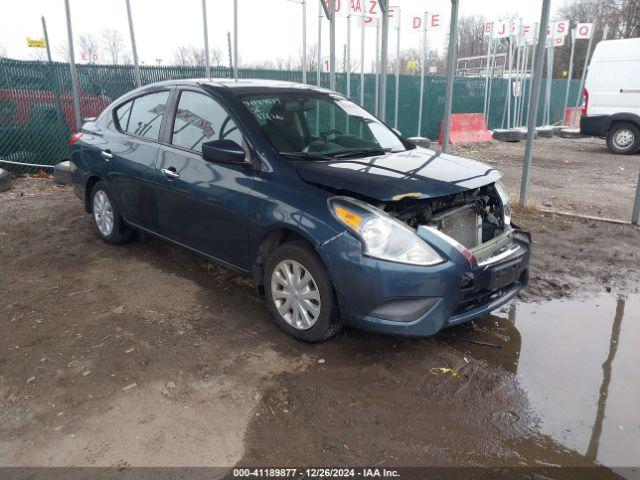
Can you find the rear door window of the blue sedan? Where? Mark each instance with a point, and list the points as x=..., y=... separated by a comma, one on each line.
x=143, y=115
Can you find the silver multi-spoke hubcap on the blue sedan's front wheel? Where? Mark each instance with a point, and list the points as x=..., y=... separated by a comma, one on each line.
x=295, y=294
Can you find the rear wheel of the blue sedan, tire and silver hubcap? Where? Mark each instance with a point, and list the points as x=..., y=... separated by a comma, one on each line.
x=103, y=209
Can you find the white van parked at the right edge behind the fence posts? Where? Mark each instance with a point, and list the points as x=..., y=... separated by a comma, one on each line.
x=611, y=107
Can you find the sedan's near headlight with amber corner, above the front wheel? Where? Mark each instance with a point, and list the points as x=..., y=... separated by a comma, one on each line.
x=383, y=236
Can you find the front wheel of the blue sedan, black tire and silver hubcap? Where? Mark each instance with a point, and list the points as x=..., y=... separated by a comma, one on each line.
x=312, y=327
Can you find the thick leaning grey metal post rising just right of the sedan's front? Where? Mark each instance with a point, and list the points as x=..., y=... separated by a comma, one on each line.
x=534, y=98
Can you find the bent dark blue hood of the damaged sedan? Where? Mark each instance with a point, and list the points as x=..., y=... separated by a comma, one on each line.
x=420, y=172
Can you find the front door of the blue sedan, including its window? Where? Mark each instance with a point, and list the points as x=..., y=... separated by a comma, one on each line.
x=203, y=205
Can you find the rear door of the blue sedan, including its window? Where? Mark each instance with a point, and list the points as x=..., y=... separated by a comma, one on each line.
x=132, y=151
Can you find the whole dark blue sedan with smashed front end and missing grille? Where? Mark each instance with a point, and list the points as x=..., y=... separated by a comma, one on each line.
x=337, y=217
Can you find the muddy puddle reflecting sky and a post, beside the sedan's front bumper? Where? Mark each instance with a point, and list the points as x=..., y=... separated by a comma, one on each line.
x=579, y=362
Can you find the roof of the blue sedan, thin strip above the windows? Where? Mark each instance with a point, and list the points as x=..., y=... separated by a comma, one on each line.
x=242, y=86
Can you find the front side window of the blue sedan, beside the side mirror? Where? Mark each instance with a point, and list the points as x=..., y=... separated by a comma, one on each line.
x=200, y=118
